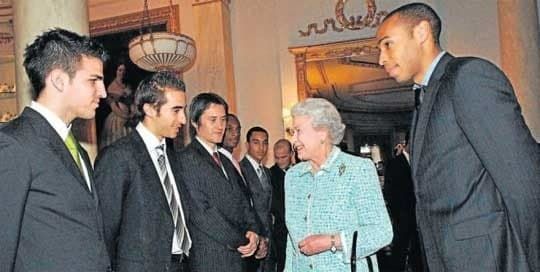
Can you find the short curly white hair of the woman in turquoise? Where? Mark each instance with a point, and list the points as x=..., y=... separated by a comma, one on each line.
x=323, y=114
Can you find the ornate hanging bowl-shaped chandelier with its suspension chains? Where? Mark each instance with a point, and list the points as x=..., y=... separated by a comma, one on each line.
x=158, y=51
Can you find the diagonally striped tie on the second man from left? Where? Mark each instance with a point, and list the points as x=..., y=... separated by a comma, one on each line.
x=180, y=229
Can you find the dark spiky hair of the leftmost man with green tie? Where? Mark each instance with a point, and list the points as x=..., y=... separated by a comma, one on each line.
x=58, y=49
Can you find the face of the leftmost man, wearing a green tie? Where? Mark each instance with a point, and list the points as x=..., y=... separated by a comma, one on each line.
x=81, y=94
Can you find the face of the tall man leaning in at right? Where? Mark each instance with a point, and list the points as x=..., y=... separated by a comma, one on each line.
x=400, y=48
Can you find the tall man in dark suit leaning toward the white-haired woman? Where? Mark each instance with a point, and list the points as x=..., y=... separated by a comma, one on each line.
x=475, y=165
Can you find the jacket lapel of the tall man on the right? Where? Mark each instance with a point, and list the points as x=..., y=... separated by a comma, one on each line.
x=426, y=108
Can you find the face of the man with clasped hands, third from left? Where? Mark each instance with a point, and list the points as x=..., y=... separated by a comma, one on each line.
x=211, y=125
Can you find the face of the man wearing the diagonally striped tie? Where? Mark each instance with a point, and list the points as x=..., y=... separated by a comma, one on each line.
x=170, y=117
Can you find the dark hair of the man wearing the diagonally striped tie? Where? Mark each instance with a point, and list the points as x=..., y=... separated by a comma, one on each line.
x=151, y=91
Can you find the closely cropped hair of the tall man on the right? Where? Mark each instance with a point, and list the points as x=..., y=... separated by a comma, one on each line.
x=414, y=13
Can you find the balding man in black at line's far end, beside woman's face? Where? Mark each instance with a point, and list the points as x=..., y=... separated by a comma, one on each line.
x=283, y=155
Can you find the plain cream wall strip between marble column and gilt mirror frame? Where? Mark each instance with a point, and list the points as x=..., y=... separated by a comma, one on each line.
x=256, y=67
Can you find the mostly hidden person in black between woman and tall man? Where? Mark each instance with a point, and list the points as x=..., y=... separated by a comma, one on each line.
x=399, y=193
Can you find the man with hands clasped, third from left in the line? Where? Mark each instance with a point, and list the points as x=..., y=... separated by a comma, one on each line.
x=223, y=226
